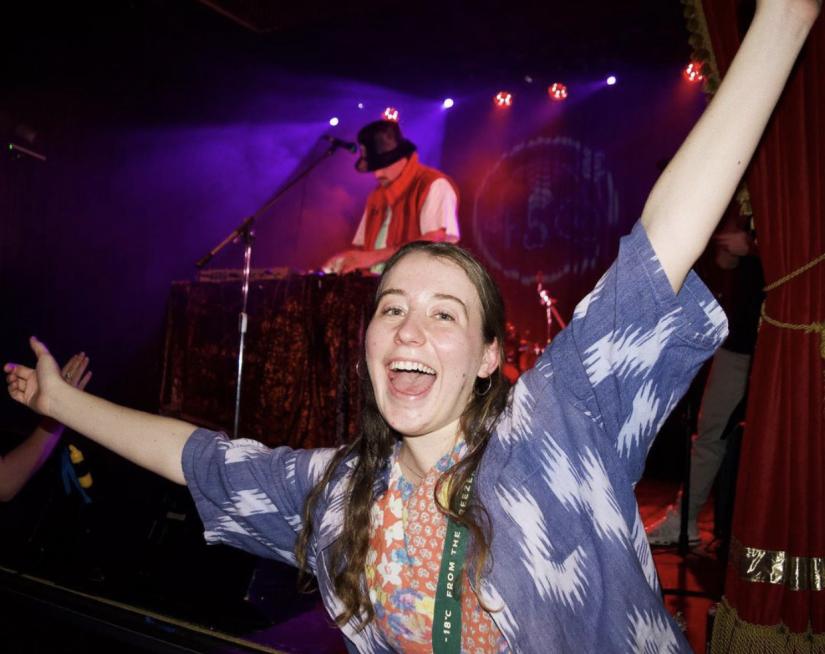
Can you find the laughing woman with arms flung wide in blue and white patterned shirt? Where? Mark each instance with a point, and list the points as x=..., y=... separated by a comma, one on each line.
x=533, y=485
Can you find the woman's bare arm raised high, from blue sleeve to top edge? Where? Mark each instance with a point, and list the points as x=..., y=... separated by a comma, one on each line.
x=689, y=198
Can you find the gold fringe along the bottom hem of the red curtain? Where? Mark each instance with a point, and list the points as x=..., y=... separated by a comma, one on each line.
x=732, y=635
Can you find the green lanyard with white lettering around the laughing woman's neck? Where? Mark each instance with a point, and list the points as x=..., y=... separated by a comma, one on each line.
x=447, y=613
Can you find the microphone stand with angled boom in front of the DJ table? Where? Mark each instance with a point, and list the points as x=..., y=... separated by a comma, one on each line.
x=245, y=233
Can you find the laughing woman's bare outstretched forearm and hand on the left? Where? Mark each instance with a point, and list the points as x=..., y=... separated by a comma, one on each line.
x=153, y=442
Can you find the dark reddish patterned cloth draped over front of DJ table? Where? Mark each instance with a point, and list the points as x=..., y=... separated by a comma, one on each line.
x=300, y=385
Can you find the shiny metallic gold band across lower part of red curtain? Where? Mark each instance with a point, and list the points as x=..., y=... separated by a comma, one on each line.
x=777, y=567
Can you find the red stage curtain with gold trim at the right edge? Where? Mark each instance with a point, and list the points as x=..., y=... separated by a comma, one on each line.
x=777, y=571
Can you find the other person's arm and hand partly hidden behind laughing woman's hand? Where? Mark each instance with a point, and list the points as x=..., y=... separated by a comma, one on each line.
x=18, y=466
